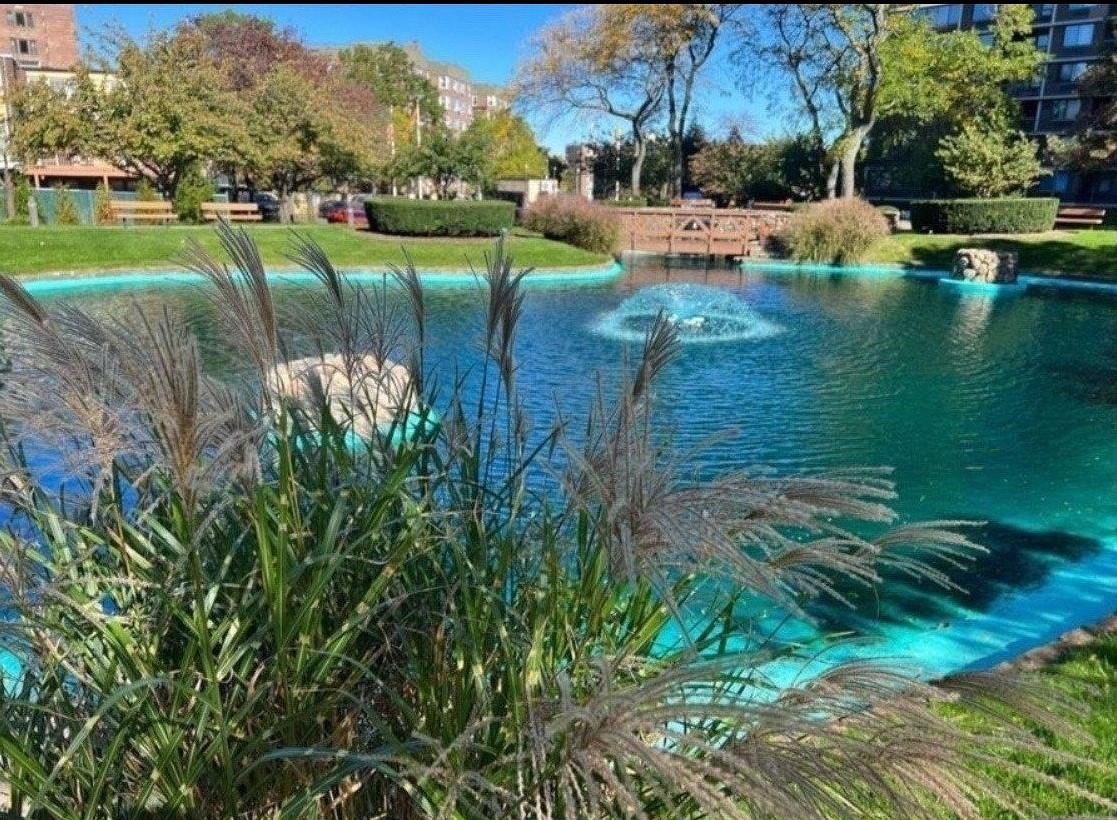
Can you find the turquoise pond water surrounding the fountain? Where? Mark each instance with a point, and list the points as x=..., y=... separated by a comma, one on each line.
x=997, y=406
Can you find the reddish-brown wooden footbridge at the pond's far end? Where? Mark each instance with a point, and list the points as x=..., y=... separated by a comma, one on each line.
x=704, y=232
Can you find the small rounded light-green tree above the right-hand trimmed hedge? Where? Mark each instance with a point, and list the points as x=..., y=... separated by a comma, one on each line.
x=987, y=159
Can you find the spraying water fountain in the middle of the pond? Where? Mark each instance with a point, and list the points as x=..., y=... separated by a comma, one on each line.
x=701, y=314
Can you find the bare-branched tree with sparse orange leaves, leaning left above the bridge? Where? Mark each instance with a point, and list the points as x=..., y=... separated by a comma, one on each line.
x=583, y=64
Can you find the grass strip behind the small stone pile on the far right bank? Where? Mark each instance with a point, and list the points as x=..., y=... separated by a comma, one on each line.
x=1070, y=253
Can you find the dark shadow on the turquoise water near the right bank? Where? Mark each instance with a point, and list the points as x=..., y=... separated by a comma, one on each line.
x=1017, y=559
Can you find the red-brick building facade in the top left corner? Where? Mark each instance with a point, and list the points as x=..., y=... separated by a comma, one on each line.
x=40, y=35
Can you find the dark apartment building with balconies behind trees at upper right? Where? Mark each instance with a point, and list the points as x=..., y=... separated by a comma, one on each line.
x=1074, y=37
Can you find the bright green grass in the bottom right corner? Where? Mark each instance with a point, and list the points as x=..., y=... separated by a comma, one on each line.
x=1089, y=679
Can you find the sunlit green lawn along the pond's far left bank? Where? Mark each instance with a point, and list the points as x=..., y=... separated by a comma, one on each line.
x=56, y=249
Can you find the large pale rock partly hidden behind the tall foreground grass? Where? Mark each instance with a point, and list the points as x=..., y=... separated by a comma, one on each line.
x=373, y=393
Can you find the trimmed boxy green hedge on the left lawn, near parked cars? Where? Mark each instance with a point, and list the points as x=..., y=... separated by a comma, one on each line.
x=440, y=218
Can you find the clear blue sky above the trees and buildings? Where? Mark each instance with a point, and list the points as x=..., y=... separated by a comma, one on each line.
x=488, y=40
